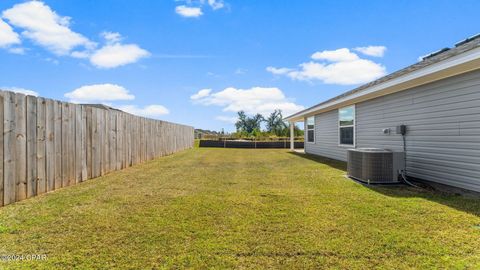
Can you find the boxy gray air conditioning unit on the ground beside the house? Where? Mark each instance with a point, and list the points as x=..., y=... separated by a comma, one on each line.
x=375, y=166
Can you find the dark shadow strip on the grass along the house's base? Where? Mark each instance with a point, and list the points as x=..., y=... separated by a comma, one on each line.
x=465, y=201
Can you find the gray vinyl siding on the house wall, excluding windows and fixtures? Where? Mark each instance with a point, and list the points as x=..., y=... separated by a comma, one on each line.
x=443, y=139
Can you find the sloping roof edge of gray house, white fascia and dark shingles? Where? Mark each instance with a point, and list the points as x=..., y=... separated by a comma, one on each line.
x=464, y=57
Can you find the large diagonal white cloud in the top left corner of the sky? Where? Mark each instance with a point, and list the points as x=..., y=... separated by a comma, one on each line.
x=45, y=27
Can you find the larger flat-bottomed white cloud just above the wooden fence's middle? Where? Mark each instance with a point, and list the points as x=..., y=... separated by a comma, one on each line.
x=99, y=93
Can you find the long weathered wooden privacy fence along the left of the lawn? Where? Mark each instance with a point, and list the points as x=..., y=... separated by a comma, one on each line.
x=49, y=144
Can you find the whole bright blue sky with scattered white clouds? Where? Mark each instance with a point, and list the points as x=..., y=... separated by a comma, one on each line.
x=198, y=62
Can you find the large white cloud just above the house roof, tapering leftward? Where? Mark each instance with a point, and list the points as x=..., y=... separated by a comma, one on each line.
x=334, y=67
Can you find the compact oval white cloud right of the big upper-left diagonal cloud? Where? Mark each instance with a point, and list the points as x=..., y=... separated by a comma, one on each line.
x=115, y=55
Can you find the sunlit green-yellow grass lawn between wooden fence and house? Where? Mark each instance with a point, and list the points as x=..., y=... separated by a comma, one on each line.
x=229, y=208
